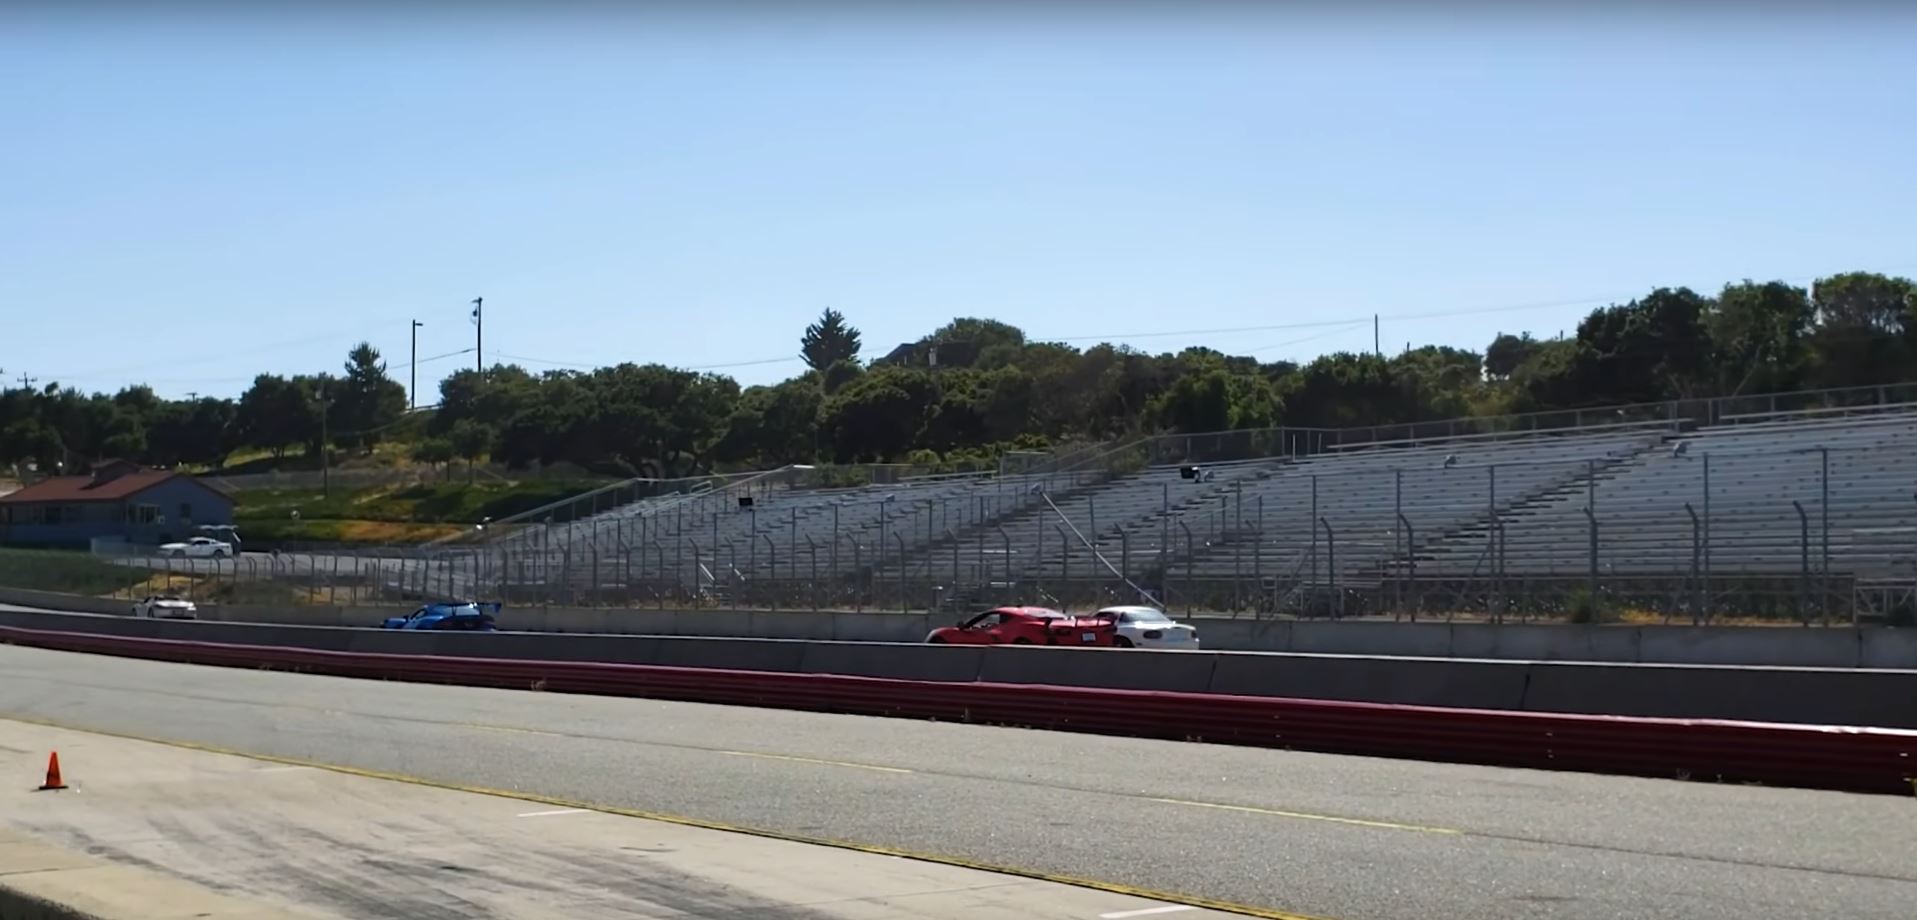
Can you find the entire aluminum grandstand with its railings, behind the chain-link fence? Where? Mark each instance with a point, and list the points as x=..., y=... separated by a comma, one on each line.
x=1799, y=509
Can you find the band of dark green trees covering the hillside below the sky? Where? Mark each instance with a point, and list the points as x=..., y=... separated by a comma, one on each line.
x=973, y=390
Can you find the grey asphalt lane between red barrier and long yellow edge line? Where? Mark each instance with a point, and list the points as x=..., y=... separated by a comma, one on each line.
x=1280, y=833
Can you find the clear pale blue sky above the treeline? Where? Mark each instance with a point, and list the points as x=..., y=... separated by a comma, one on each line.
x=198, y=196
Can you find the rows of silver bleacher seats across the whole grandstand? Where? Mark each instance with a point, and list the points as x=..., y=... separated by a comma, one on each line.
x=1351, y=517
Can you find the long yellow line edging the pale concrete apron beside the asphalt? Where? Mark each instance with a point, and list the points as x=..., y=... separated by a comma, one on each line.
x=1117, y=888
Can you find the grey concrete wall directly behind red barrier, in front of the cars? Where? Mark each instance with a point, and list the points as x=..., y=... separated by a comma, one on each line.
x=1822, y=697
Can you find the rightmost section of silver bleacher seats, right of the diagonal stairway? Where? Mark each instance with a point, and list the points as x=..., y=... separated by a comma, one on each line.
x=1757, y=472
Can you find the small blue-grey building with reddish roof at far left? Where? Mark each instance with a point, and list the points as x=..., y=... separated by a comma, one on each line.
x=118, y=503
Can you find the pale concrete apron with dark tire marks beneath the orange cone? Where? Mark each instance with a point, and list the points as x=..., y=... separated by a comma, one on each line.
x=352, y=848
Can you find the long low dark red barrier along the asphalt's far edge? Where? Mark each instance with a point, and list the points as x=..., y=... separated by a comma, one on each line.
x=1837, y=758
